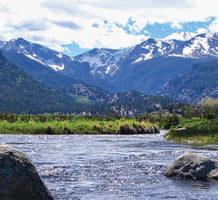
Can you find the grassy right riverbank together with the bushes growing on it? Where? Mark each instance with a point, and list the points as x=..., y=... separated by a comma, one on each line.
x=200, y=126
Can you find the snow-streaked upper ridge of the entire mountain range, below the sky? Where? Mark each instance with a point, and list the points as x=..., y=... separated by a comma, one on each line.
x=106, y=62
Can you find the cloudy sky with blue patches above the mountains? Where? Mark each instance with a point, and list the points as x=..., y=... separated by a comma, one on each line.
x=75, y=26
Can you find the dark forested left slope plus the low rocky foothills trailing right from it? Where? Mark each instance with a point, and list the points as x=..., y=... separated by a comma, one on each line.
x=20, y=93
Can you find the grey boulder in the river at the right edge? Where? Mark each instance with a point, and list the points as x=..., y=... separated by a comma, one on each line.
x=193, y=166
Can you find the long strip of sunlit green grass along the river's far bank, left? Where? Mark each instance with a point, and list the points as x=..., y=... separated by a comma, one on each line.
x=77, y=125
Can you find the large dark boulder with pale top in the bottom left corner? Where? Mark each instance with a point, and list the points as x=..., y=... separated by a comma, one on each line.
x=19, y=179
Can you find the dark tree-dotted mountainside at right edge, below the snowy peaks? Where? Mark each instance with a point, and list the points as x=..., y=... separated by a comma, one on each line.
x=193, y=85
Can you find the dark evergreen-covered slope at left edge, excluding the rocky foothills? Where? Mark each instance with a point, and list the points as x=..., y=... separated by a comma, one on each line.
x=20, y=93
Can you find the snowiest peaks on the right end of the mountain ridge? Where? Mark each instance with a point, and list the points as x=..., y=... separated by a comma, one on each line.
x=199, y=46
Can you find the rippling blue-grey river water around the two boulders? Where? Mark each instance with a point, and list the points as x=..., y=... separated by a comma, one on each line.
x=110, y=167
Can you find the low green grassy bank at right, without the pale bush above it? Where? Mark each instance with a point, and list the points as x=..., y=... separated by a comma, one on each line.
x=195, y=131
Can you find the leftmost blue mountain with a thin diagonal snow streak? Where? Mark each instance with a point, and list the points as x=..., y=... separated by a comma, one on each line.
x=34, y=59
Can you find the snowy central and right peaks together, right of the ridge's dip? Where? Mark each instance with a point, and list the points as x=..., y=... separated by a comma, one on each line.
x=105, y=62
